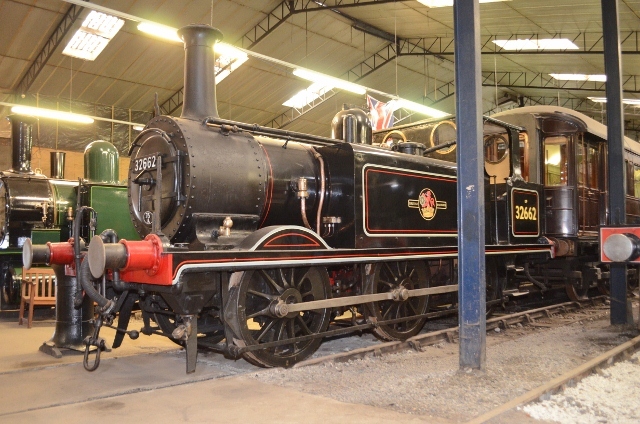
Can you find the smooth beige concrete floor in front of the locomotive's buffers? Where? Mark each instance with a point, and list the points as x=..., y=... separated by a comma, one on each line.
x=145, y=381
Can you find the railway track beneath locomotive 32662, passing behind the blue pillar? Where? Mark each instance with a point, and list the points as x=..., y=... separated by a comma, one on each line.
x=451, y=334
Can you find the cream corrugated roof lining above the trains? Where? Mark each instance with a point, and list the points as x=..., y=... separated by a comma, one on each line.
x=135, y=66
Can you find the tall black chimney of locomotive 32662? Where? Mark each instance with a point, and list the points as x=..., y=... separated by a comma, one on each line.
x=199, y=100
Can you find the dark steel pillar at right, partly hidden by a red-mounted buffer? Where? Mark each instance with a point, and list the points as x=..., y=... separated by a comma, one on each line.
x=615, y=136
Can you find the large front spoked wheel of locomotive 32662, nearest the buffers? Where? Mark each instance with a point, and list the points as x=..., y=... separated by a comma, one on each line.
x=255, y=319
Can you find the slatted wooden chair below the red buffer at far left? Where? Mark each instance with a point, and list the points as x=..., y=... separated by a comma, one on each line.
x=38, y=287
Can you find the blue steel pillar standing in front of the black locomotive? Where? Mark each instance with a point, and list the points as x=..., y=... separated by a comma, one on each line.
x=471, y=261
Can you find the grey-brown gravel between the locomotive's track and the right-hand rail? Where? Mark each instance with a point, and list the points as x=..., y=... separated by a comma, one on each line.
x=430, y=384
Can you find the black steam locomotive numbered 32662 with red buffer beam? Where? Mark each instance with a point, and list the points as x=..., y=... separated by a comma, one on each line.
x=256, y=240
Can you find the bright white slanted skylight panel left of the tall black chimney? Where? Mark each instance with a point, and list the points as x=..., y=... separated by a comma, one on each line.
x=93, y=36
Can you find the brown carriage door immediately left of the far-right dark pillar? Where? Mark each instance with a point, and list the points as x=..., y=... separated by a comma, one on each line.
x=589, y=190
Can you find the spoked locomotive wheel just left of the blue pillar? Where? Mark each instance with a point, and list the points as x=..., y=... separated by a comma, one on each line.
x=388, y=276
